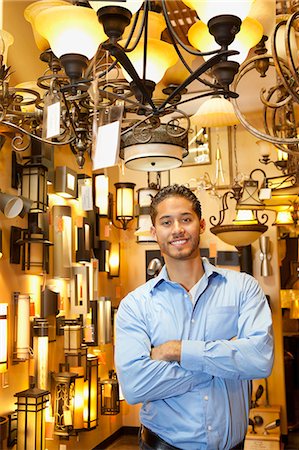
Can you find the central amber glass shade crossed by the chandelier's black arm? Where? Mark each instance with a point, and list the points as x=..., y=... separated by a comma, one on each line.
x=160, y=56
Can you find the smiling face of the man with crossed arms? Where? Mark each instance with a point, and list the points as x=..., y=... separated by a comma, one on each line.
x=177, y=229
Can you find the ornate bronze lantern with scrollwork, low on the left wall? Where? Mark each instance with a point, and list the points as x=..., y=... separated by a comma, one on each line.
x=64, y=393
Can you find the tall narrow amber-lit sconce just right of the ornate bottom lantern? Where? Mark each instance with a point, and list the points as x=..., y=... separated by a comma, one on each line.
x=91, y=393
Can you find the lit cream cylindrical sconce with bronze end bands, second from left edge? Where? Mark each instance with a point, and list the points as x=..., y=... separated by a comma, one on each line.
x=21, y=327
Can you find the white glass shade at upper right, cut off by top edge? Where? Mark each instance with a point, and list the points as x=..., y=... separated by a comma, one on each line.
x=206, y=10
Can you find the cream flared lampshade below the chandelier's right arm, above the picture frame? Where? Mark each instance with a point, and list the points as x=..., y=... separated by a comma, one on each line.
x=215, y=112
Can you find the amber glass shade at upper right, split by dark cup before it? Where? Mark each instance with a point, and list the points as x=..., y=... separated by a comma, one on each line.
x=249, y=35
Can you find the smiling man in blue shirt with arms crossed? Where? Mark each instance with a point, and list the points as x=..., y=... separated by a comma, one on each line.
x=189, y=341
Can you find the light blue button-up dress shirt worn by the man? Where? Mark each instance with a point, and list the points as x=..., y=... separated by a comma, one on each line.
x=201, y=403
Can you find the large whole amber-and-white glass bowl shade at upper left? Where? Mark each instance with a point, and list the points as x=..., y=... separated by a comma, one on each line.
x=71, y=30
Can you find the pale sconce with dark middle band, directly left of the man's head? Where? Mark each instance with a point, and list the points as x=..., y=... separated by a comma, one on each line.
x=144, y=223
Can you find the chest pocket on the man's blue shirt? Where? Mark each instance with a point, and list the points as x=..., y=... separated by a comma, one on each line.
x=222, y=323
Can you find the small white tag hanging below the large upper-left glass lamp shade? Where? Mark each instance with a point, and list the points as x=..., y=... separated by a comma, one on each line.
x=51, y=119
